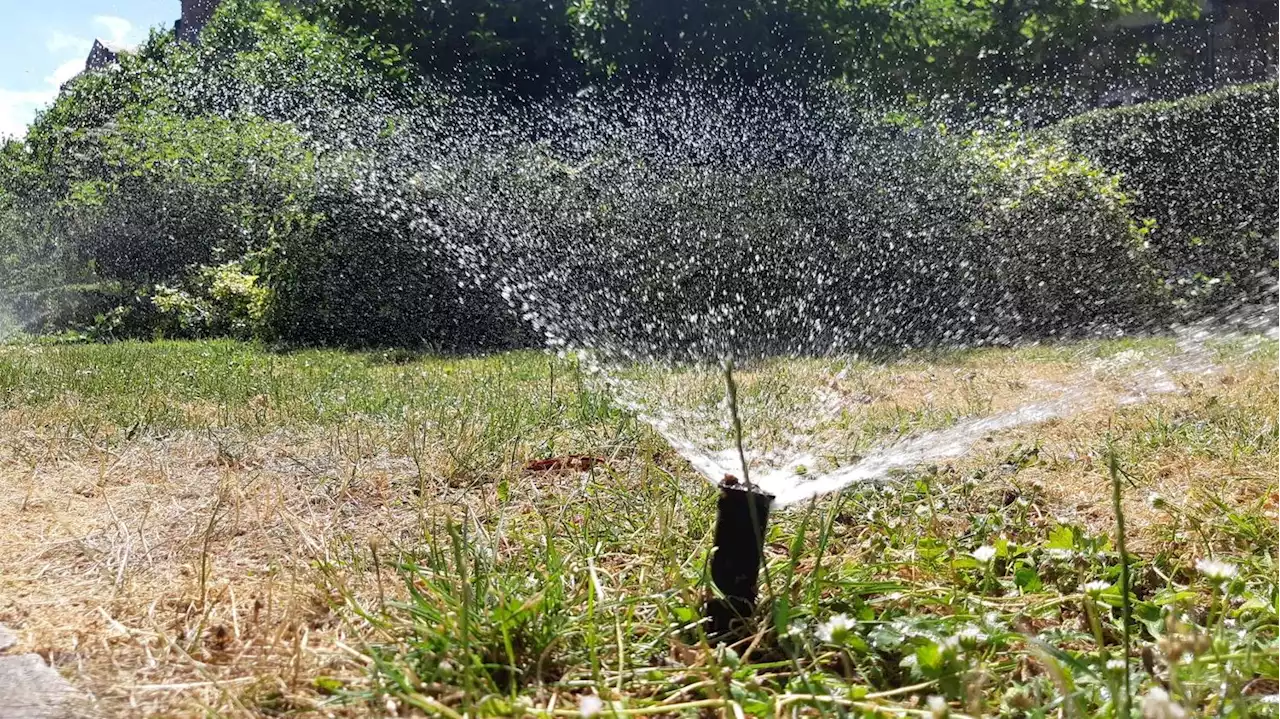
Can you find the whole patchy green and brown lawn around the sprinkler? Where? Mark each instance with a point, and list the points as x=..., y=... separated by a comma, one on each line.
x=214, y=530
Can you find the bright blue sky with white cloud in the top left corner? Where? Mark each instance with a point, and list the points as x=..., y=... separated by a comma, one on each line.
x=44, y=44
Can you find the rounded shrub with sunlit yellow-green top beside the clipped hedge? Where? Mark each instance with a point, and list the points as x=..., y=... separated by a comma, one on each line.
x=1064, y=250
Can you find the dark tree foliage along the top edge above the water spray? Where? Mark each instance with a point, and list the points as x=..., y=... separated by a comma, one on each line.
x=985, y=54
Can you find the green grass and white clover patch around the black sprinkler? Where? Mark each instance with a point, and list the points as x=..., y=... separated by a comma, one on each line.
x=597, y=604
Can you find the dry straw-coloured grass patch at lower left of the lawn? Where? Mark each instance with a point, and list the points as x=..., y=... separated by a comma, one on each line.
x=161, y=576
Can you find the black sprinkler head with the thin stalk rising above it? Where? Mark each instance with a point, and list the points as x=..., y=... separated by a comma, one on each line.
x=742, y=515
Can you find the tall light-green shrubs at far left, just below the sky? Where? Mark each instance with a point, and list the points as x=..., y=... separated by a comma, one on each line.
x=150, y=194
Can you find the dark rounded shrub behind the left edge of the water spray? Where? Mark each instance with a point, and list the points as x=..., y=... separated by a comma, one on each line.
x=355, y=273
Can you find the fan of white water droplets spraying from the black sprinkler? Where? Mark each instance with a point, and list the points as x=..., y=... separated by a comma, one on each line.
x=685, y=228
